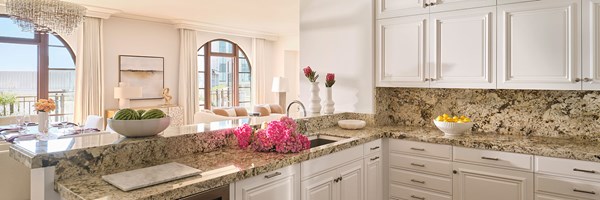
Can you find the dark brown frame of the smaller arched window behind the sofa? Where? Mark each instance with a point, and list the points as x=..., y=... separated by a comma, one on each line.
x=235, y=56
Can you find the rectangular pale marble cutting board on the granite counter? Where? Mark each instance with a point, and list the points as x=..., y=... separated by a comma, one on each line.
x=140, y=178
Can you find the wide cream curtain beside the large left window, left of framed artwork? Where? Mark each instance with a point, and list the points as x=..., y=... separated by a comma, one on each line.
x=89, y=92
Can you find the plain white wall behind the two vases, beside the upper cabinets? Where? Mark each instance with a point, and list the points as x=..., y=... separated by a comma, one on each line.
x=336, y=36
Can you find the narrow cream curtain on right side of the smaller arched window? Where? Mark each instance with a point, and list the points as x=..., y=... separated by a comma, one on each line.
x=259, y=83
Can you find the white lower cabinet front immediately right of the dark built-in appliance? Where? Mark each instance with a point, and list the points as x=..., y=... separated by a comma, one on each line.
x=280, y=184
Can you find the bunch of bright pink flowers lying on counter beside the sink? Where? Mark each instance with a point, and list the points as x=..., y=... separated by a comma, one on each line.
x=279, y=136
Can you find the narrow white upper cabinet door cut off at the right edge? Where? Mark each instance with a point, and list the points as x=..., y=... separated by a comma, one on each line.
x=591, y=45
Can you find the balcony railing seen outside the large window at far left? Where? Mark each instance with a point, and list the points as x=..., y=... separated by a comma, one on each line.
x=24, y=106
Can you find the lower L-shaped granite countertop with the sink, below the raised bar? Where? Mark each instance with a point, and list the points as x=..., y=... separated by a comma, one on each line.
x=229, y=164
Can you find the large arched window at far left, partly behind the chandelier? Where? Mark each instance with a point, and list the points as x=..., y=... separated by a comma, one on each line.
x=32, y=66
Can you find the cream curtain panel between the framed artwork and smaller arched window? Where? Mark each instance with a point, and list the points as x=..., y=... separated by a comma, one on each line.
x=188, y=74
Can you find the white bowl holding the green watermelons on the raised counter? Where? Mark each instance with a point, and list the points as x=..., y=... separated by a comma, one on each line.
x=139, y=128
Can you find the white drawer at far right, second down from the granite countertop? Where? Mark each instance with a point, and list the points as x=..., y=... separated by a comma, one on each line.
x=566, y=186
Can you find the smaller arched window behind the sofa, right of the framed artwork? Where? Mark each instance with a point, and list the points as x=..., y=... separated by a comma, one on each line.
x=224, y=75
